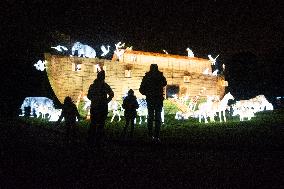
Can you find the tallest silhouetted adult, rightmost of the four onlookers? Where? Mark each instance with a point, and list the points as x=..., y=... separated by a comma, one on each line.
x=152, y=86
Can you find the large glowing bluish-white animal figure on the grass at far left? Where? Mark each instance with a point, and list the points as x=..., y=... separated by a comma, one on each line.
x=40, y=106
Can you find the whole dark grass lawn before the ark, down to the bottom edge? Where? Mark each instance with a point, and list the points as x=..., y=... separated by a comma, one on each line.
x=191, y=155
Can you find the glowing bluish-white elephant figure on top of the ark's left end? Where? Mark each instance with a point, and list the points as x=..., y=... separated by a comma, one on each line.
x=83, y=50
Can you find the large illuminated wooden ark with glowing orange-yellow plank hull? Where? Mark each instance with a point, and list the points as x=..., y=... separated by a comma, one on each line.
x=182, y=72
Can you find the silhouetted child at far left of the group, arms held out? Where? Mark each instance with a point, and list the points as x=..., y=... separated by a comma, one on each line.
x=69, y=113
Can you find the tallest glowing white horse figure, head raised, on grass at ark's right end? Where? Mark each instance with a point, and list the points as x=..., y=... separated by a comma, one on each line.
x=221, y=106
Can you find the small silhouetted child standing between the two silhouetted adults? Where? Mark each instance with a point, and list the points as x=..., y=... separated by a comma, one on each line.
x=130, y=105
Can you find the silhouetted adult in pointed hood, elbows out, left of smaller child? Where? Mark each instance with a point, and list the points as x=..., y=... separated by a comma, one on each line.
x=100, y=94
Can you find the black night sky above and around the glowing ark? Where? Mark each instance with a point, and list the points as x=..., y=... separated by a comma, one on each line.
x=248, y=35
